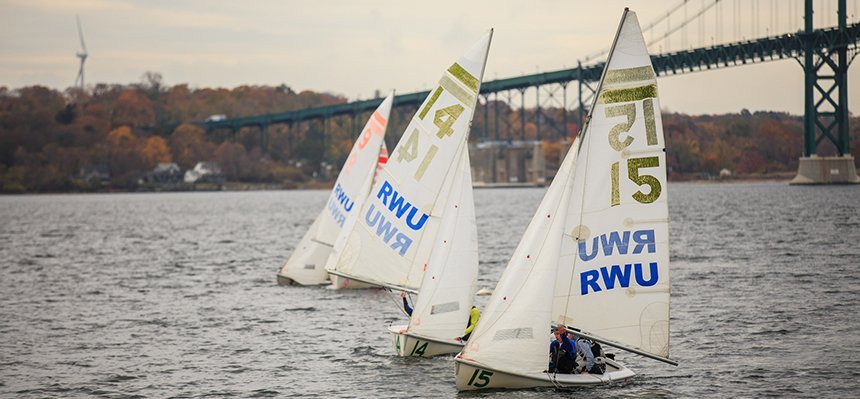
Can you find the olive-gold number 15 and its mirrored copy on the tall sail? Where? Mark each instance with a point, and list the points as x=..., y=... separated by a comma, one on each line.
x=634, y=164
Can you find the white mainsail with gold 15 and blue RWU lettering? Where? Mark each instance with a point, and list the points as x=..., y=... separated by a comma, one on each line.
x=614, y=264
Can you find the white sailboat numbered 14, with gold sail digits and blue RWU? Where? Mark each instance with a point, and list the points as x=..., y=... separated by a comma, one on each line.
x=417, y=231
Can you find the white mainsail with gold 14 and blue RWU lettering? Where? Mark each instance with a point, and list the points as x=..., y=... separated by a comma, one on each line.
x=391, y=242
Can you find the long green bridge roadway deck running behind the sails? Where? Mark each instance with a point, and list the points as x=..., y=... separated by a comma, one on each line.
x=724, y=55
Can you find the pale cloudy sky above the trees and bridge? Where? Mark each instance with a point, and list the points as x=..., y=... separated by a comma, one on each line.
x=353, y=48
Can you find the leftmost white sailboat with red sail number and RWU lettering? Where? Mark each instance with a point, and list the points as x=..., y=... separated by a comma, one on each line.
x=306, y=266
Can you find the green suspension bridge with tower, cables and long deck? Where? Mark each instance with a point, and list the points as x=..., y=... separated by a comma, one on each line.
x=691, y=36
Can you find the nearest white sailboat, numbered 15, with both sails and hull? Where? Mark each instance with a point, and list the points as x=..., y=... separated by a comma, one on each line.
x=595, y=256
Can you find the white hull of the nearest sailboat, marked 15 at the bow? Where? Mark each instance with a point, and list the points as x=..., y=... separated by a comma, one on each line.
x=472, y=375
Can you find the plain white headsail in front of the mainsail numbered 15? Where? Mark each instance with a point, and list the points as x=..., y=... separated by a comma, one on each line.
x=513, y=332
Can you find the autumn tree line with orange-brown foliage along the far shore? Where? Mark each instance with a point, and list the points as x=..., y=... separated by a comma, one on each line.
x=50, y=138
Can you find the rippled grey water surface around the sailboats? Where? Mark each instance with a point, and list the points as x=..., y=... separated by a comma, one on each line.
x=174, y=295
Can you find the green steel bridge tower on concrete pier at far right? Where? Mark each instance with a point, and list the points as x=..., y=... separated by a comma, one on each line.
x=826, y=107
